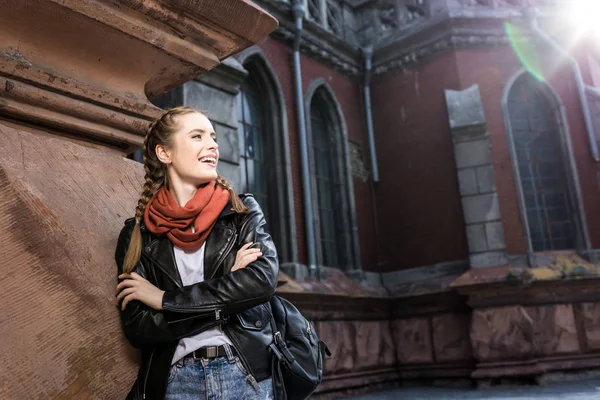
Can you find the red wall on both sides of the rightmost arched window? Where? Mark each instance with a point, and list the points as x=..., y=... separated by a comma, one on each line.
x=491, y=70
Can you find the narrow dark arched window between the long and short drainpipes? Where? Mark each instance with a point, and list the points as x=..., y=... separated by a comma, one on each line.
x=335, y=220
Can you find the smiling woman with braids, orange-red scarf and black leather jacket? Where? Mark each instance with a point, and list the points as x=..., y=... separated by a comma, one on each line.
x=196, y=271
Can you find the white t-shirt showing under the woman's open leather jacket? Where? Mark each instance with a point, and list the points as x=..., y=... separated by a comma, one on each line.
x=191, y=269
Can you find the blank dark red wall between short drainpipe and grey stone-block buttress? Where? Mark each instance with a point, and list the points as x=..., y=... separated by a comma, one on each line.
x=419, y=208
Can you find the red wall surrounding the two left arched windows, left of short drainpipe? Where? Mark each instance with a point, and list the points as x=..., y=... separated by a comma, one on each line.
x=348, y=94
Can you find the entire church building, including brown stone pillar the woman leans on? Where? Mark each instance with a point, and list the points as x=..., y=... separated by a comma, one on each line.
x=429, y=174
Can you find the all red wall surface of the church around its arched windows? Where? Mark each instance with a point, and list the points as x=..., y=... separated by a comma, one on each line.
x=417, y=200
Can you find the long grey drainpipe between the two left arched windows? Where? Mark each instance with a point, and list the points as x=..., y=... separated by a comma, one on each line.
x=298, y=12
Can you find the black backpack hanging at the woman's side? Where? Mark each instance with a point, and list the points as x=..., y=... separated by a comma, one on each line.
x=297, y=366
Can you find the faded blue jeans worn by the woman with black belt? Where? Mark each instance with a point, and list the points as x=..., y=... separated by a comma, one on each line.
x=221, y=378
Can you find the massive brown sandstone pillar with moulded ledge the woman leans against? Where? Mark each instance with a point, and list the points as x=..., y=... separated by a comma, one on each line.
x=75, y=79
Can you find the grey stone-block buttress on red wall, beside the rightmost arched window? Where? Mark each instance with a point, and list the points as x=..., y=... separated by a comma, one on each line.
x=475, y=171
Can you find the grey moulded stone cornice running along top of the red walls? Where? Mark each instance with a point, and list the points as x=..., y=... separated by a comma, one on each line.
x=455, y=29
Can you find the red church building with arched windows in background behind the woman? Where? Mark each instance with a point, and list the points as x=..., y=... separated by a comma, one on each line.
x=462, y=243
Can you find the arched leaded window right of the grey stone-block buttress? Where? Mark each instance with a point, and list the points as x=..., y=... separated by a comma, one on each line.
x=535, y=132
